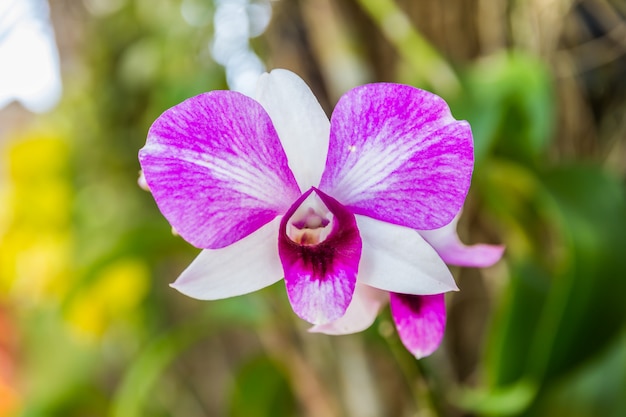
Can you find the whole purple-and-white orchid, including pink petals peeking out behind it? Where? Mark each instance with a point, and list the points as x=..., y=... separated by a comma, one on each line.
x=347, y=211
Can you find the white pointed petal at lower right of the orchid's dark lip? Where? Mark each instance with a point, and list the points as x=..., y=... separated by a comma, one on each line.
x=398, y=259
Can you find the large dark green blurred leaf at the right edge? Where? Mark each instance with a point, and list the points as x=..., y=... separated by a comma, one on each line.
x=565, y=303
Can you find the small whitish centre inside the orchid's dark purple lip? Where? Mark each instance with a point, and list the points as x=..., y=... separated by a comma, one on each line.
x=311, y=223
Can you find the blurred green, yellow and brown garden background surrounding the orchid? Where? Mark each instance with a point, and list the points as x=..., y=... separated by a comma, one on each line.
x=88, y=323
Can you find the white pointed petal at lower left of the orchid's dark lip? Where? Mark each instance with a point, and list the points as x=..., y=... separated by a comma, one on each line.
x=245, y=266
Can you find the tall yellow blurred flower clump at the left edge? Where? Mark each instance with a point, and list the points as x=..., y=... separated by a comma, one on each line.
x=35, y=223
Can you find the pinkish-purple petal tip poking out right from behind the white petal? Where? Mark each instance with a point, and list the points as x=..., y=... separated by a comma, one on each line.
x=446, y=242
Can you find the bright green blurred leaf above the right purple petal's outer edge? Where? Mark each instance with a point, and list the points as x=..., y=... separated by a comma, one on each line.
x=510, y=106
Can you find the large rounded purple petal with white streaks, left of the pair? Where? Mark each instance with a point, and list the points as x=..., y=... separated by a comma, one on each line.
x=216, y=168
